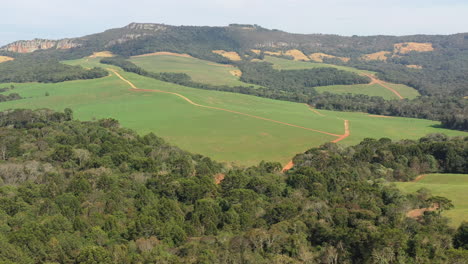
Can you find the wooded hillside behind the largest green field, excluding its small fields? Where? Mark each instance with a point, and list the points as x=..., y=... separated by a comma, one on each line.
x=435, y=65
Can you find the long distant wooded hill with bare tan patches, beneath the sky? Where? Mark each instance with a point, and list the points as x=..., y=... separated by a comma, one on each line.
x=433, y=64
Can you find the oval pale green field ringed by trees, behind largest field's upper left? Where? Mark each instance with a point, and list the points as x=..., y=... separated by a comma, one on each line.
x=200, y=70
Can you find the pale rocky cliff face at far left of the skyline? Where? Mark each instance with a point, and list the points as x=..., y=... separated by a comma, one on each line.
x=27, y=46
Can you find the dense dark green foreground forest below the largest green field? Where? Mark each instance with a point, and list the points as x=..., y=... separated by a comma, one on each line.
x=92, y=192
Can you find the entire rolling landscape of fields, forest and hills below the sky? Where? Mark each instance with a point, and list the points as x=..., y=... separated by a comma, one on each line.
x=154, y=143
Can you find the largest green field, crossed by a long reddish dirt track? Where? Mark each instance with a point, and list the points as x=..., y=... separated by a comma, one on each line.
x=221, y=135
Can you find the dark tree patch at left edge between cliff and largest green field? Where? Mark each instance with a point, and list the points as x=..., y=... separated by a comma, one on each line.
x=37, y=69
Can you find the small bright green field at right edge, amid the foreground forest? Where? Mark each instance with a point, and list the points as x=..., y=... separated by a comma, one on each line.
x=451, y=186
